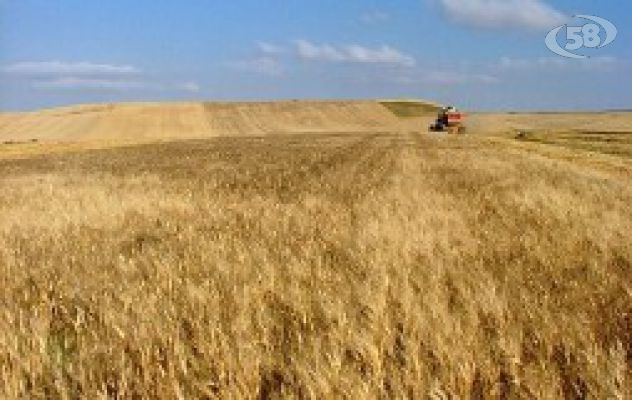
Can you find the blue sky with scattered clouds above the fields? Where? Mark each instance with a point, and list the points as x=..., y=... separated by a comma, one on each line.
x=477, y=54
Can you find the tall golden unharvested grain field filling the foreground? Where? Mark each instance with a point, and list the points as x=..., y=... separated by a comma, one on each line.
x=315, y=266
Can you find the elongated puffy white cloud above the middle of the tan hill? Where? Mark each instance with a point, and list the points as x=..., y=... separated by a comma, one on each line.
x=352, y=54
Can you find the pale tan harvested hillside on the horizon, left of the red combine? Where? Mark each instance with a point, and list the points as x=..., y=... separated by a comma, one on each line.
x=160, y=121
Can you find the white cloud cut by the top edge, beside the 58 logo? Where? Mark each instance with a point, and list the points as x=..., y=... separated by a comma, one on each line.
x=503, y=14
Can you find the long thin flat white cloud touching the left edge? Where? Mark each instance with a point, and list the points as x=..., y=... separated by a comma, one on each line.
x=59, y=68
